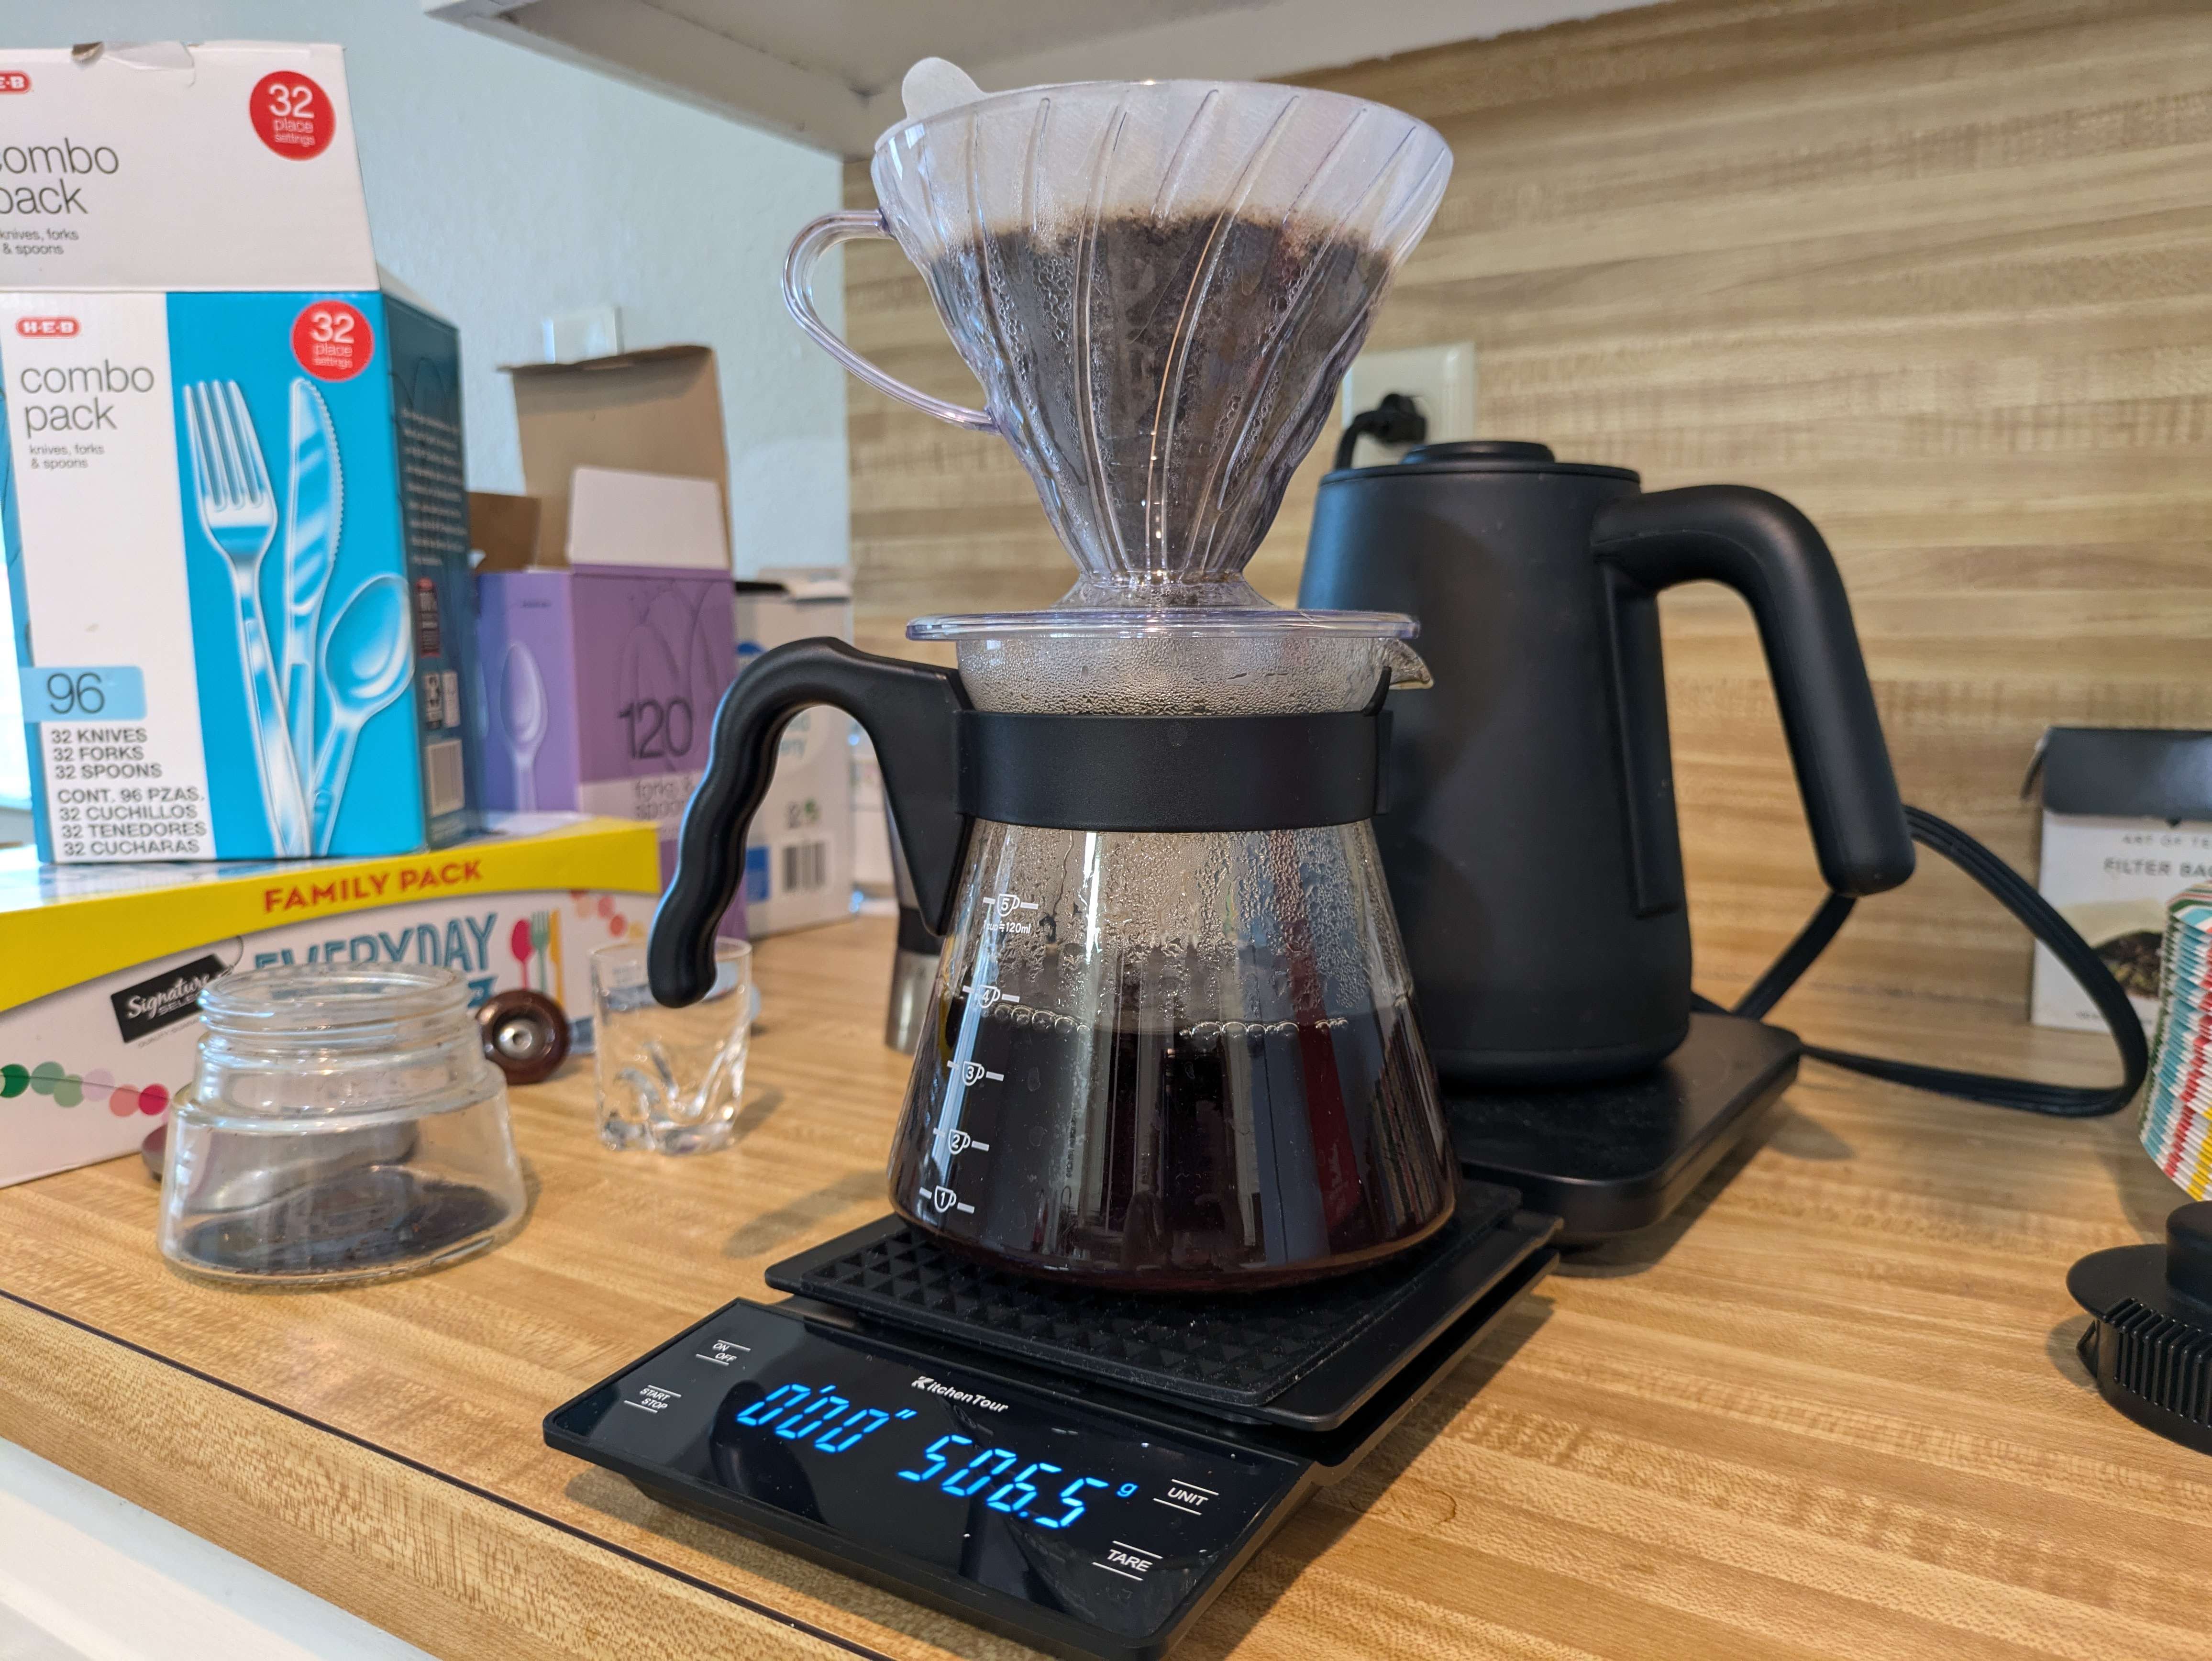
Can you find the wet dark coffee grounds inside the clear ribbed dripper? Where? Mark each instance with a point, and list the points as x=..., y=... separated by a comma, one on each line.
x=1160, y=377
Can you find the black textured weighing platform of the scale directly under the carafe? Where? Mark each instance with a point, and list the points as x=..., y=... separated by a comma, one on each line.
x=1231, y=1352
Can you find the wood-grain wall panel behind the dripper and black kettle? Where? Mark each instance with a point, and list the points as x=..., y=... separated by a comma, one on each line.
x=1939, y=271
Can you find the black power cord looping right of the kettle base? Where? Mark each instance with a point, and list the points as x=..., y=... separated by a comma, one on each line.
x=2047, y=926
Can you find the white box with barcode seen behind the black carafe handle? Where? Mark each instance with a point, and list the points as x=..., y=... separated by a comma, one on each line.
x=802, y=844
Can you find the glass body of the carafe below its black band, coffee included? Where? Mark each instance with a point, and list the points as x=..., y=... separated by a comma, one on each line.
x=1131, y=1089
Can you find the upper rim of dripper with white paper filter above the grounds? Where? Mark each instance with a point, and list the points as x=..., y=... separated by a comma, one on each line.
x=1054, y=158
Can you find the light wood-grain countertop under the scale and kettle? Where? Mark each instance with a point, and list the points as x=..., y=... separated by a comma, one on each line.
x=1830, y=1410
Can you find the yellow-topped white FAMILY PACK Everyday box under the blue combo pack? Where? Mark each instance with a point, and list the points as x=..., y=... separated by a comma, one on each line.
x=101, y=988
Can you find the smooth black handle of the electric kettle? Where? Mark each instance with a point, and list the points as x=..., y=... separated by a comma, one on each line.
x=1775, y=558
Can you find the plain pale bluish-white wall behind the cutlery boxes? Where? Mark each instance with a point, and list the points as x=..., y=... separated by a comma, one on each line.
x=505, y=187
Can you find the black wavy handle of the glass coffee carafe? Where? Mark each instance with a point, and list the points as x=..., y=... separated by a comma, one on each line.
x=910, y=713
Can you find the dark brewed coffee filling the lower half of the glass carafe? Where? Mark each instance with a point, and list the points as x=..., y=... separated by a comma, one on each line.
x=1176, y=1158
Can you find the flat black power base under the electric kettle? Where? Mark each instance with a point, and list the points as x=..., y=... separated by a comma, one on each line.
x=1616, y=1158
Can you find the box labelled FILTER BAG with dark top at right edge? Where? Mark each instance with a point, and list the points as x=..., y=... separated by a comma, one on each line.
x=2127, y=828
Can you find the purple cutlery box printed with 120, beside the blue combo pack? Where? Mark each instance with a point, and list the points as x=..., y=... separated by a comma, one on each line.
x=601, y=689
